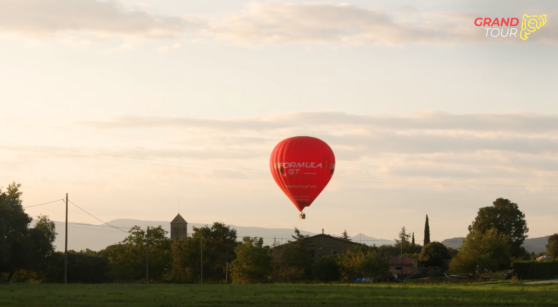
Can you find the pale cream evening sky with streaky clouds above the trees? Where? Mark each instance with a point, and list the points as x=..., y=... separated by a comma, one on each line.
x=143, y=109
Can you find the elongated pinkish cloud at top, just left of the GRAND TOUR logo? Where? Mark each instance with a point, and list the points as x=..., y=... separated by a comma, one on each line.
x=327, y=23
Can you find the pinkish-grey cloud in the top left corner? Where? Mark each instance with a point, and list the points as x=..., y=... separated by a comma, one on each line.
x=47, y=18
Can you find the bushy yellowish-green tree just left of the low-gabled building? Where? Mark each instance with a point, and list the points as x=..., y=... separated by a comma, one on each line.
x=252, y=263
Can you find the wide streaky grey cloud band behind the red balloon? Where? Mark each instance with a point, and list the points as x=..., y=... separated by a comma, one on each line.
x=385, y=151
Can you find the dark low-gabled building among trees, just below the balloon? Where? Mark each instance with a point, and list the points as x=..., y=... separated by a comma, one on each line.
x=325, y=245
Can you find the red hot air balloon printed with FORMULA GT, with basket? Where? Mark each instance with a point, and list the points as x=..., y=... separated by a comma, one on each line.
x=302, y=167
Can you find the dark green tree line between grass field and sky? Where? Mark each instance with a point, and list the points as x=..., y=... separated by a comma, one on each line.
x=215, y=253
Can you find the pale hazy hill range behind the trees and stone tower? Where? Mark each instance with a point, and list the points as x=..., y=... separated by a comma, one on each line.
x=97, y=237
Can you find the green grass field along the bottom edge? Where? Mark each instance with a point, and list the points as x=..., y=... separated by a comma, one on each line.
x=503, y=294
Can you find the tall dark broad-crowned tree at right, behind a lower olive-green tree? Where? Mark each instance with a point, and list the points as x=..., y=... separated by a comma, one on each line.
x=508, y=220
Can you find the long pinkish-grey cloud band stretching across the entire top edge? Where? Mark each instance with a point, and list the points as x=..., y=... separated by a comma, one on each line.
x=257, y=24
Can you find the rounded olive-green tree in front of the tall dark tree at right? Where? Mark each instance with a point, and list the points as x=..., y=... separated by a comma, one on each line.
x=489, y=250
